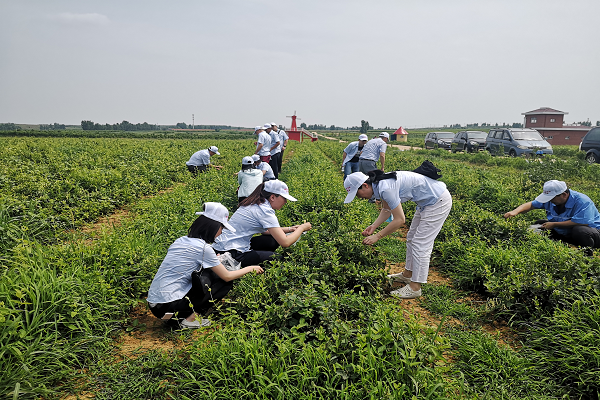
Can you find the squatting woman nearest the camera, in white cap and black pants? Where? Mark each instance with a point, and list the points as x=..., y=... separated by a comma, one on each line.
x=172, y=296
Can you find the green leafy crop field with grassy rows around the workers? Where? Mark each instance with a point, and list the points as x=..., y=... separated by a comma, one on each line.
x=508, y=314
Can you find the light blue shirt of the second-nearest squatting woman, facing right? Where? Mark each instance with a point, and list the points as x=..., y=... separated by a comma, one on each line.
x=247, y=221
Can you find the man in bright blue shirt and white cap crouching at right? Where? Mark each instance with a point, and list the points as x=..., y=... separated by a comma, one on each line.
x=572, y=216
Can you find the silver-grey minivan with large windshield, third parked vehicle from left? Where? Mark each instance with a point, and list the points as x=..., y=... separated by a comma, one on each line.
x=516, y=142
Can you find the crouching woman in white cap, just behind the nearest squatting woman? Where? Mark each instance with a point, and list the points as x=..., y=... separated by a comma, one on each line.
x=256, y=215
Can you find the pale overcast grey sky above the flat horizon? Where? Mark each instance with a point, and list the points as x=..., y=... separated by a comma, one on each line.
x=410, y=63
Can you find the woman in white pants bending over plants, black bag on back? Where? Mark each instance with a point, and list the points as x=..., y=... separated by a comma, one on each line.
x=433, y=206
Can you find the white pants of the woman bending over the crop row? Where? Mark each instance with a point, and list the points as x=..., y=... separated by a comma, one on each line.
x=424, y=228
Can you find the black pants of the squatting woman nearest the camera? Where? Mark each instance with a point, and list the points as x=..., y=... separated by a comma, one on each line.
x=194, y=300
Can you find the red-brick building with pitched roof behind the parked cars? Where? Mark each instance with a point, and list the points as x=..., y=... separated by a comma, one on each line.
x=550, y=124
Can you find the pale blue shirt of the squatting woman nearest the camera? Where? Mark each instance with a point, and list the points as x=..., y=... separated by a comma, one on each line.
x=173, y=280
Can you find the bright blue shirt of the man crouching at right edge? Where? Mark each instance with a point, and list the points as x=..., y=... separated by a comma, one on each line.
x=579, y=208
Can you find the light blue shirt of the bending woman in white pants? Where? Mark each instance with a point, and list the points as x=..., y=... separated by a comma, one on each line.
x=409, y=186
